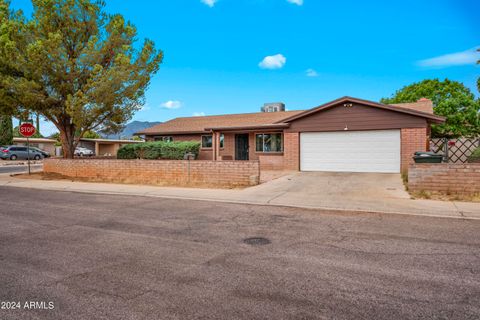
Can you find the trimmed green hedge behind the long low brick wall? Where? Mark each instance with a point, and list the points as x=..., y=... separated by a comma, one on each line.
x=158, y=150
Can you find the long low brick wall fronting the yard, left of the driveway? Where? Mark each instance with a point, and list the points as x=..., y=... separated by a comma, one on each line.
x=222, y=174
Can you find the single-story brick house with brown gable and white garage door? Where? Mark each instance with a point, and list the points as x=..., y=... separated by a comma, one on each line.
x=347, y=134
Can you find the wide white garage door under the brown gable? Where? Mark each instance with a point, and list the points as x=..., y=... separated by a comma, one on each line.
x=351, y=151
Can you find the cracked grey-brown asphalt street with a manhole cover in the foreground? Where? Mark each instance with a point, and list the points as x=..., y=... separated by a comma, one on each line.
x=85, y=256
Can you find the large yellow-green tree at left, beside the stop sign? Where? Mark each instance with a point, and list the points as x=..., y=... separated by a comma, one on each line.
x=74, y=65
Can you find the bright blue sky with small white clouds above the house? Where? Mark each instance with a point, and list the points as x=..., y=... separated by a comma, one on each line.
x=231, y=56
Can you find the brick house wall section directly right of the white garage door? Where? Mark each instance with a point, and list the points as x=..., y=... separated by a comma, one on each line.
x=412, y=140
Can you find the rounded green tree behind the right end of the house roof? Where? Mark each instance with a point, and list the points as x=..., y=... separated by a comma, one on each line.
x=451, y=99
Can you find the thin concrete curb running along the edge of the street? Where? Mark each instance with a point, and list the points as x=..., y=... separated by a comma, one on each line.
x=150, y=195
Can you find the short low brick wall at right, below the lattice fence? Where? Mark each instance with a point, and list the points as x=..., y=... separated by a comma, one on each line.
x=445, y=178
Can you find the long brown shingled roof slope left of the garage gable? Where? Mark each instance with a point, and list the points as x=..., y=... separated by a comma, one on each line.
x=195, y=125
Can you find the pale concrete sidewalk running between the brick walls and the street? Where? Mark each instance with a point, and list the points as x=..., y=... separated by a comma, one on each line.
x=265, y=194
